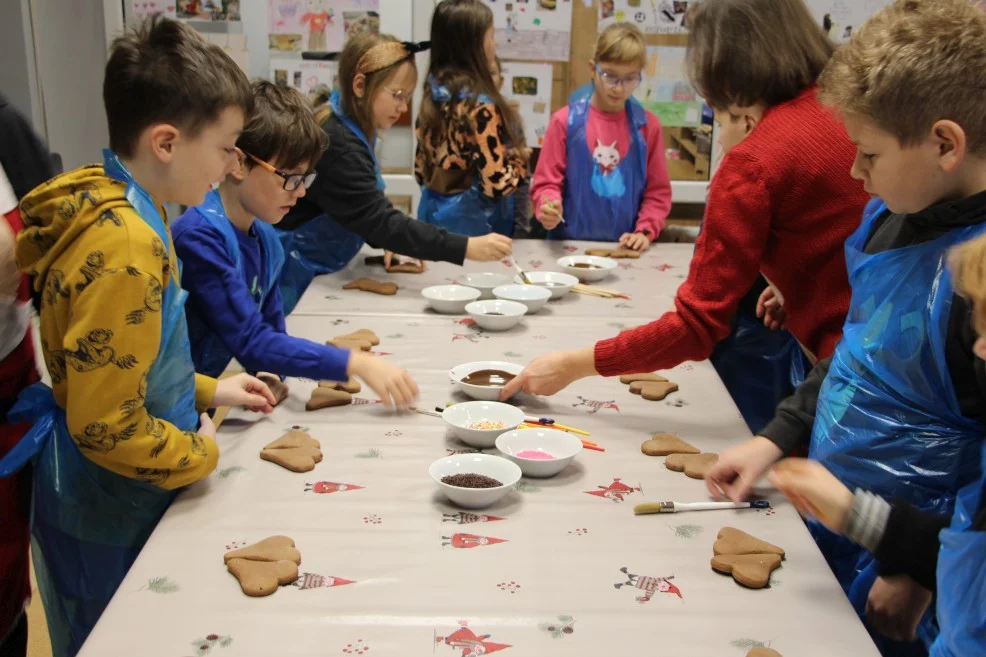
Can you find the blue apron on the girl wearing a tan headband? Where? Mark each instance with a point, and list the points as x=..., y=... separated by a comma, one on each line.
x=321, y=246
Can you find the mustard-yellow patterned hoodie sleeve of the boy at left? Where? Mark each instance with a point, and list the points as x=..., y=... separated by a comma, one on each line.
x=110, y=344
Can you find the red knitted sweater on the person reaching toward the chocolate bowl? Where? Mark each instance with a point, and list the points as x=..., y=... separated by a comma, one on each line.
x=782, y=203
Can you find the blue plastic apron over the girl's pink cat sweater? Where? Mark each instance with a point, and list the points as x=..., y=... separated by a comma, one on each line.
x=601, y=206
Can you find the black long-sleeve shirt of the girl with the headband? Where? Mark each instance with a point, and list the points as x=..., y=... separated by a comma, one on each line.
x=346, y=190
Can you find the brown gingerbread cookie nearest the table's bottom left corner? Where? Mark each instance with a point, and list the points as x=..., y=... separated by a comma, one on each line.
x=262, y=567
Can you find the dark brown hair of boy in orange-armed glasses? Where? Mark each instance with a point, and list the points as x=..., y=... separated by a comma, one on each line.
x=282, y=128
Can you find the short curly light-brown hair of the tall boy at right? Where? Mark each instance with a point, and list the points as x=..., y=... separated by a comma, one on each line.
x=912, y=64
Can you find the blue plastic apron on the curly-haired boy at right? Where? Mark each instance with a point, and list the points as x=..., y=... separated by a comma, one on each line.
x=888, y=420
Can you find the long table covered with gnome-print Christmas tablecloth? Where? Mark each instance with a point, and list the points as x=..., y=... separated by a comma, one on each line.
x=390, y=567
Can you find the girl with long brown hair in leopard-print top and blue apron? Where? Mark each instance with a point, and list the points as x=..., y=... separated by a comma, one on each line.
x=470, y=159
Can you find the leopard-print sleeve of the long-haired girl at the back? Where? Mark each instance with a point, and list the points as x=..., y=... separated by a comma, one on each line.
x=501, y=168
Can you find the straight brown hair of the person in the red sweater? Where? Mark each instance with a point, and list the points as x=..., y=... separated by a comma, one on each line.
x=745, y=52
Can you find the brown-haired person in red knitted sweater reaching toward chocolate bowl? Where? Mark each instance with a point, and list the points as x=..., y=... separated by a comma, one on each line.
x=782, y=202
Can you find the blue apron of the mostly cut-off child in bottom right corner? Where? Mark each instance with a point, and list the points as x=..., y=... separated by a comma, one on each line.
x=962, y=577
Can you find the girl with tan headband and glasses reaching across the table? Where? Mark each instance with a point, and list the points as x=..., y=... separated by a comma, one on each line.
x=347, y=204
